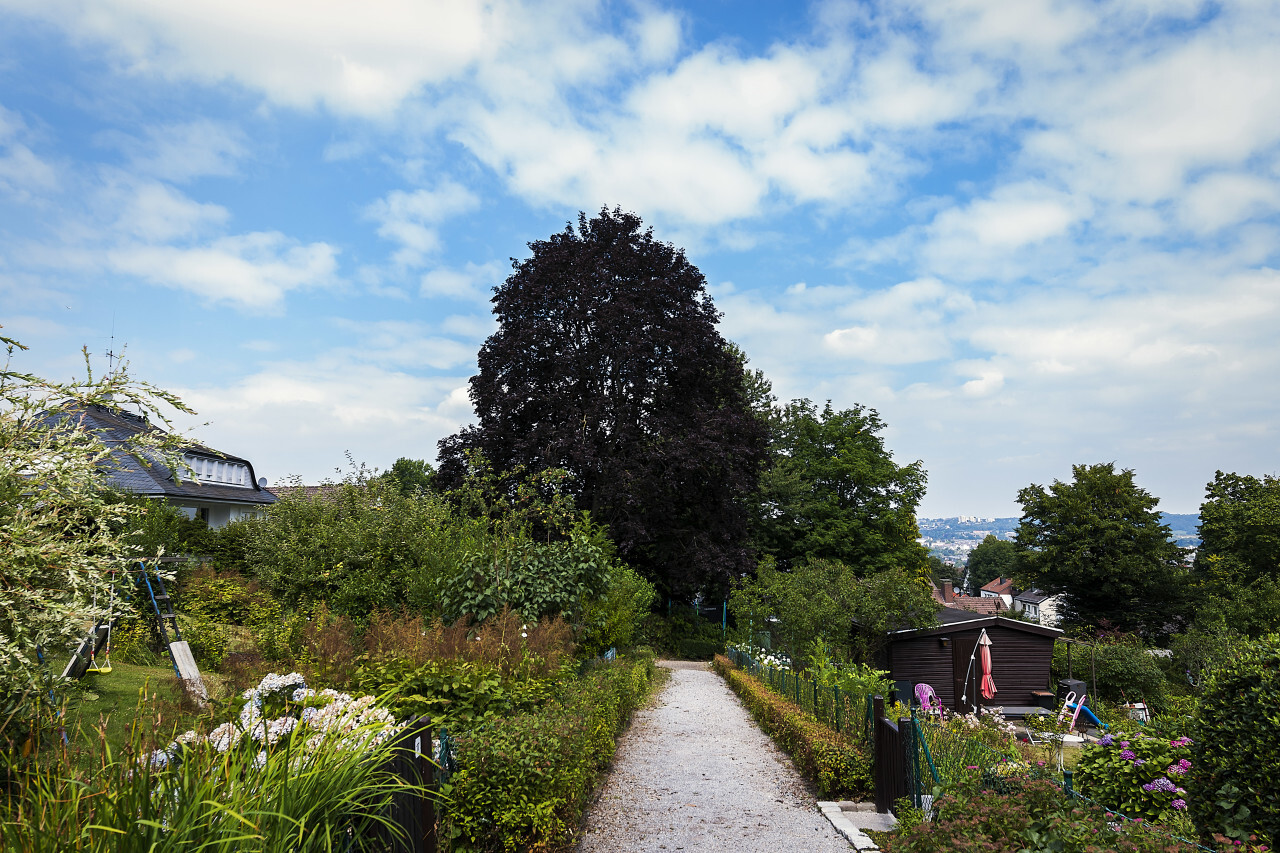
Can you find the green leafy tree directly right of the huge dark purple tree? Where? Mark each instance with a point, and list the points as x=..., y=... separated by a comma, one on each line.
x=834, y=492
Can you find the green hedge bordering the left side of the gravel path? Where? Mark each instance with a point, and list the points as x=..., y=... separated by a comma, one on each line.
x=524, y=782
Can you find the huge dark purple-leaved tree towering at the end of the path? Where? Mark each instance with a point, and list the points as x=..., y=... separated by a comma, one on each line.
x=607, y=364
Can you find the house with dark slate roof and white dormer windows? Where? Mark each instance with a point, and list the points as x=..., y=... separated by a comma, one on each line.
x=218, y=489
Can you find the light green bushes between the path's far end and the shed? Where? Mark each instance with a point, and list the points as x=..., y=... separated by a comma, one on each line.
x=829, y=600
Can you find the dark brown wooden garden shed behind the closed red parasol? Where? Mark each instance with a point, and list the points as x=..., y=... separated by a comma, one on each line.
x=1021, y=658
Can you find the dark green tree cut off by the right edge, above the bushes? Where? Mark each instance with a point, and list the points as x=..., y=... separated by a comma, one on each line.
x=1238, y=563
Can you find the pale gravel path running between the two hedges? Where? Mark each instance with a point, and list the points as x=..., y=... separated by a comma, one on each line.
x=694, y=773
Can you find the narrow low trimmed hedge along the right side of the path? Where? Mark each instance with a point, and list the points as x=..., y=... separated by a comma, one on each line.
x=830, y=760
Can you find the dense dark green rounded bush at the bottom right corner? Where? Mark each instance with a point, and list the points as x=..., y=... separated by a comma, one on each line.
x=1237, y=745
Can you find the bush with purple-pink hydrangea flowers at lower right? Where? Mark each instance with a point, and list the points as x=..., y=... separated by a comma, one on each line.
x=1137, y=776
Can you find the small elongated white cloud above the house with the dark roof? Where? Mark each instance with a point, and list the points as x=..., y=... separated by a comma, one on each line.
x=252, y=272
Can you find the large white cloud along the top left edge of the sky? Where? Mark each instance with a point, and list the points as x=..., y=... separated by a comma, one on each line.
x=360, y=61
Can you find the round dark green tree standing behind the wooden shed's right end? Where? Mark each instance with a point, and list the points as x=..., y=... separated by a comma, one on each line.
x=1100, y=542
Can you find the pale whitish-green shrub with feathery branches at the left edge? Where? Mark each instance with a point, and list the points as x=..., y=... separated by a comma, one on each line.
x=62, y=531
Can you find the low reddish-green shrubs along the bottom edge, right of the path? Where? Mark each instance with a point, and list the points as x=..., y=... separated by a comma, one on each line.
x=1035, y=818
